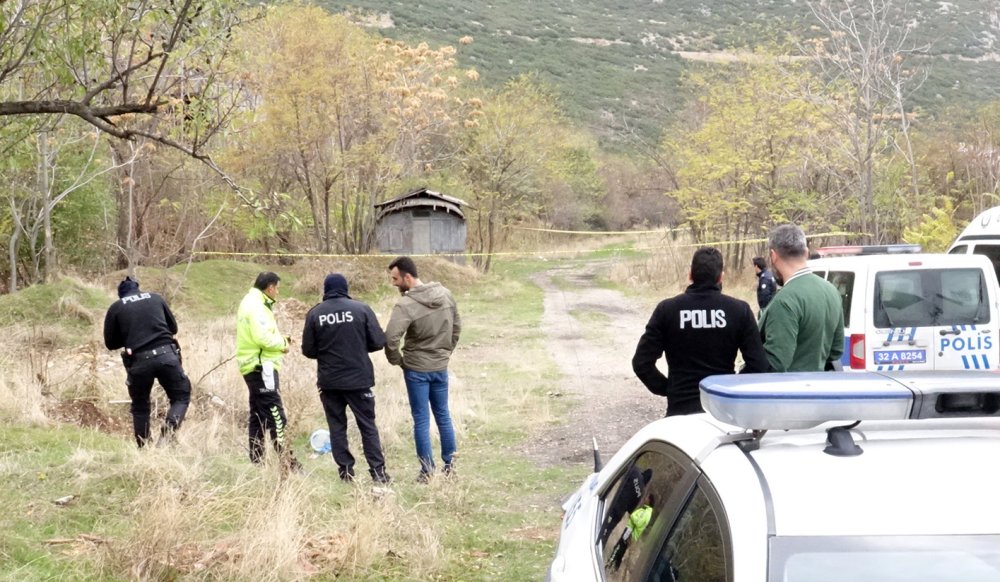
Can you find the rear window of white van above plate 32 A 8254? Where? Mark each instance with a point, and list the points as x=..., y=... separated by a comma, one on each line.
x=927, y=297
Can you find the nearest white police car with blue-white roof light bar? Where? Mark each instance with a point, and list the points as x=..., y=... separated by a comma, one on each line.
x=909, y=493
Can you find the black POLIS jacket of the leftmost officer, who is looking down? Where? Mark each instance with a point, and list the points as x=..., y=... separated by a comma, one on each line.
x=139, y=322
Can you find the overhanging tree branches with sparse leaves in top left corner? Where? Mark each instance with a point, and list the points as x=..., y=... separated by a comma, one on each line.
x=151, y=69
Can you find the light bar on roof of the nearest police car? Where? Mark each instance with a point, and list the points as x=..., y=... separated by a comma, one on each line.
x=807, y=399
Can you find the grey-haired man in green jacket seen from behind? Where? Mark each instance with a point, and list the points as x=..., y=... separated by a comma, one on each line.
x=803, y=325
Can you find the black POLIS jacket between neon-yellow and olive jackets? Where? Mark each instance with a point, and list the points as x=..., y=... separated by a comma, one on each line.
x=339, y=333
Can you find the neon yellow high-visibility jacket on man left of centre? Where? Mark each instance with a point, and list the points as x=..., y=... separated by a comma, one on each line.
x=257, y=336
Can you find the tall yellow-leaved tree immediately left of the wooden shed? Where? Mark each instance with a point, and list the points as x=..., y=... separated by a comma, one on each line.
x=339, y=117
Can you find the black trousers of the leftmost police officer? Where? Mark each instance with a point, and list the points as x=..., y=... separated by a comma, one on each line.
x=167, y=369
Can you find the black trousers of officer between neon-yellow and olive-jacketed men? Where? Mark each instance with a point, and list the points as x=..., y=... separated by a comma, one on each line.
x=362, y=404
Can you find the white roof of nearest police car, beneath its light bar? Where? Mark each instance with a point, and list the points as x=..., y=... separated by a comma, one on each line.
x=913, y=477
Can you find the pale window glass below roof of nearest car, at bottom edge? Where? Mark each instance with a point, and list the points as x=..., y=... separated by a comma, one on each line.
x=885, y=559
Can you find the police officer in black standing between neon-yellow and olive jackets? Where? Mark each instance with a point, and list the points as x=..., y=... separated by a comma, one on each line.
x=340, y=333
